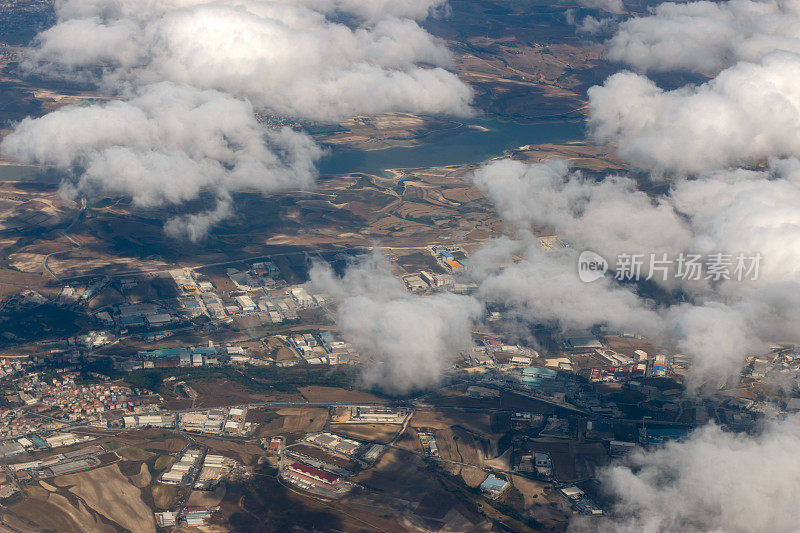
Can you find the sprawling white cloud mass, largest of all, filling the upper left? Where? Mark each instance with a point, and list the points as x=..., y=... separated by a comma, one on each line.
x=191, y=75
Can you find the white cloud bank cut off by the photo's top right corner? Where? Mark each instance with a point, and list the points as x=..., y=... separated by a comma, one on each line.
x=707, y=36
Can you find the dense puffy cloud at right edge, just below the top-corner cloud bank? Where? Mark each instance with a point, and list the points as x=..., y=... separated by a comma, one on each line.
x=748, y=113
